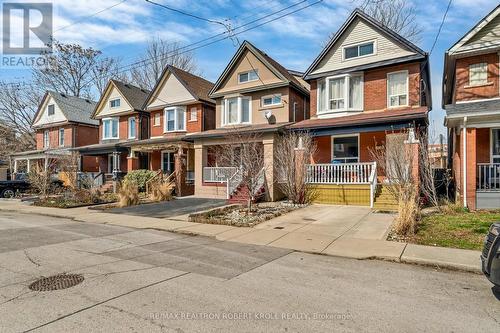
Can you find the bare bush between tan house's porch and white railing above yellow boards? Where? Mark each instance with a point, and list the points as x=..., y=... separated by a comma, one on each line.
x=292, y=154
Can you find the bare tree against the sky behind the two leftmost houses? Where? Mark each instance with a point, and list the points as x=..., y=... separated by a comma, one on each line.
x=74, y=70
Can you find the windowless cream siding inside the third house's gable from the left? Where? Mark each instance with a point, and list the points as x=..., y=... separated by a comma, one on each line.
x=172, y=91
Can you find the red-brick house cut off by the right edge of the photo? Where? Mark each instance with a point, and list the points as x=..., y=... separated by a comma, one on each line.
x=471, y=98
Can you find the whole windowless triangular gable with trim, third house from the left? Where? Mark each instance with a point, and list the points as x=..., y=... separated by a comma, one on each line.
x=169, y=90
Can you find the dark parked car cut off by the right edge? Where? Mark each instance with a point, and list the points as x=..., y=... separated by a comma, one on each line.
x=490, y=257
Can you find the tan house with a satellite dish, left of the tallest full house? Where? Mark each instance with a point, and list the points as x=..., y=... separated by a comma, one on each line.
x=254, y=94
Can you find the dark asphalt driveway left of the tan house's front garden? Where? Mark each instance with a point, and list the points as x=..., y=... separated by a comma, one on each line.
x=170, y=209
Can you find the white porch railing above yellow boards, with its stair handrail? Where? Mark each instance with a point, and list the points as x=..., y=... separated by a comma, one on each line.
x=345, y=173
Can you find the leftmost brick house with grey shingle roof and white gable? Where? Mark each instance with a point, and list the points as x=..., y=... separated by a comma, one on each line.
x=61, y=124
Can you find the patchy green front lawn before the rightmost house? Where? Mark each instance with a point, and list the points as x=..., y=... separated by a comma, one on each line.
x=461, y=229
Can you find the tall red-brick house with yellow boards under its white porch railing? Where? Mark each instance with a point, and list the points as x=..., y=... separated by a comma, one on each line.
x=367, y=84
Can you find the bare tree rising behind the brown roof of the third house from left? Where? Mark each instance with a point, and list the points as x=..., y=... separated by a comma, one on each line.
x=157, y=56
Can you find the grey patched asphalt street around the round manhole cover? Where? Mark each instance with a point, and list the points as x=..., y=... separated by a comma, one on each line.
x=154, y=281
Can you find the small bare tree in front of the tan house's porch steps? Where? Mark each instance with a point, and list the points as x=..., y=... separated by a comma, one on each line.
x=245, y=152
